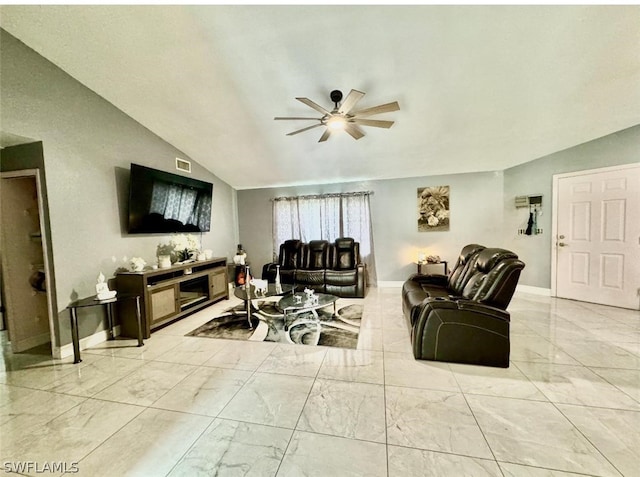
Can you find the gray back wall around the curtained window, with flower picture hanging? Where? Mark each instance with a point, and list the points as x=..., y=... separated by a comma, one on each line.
x=476, y=215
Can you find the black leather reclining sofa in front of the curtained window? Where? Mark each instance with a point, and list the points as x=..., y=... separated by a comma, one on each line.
x=335, y=268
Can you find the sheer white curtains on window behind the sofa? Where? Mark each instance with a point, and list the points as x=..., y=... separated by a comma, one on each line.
x=326, y=217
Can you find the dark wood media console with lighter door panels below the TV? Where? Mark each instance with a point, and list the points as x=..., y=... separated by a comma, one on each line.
x=169, y=294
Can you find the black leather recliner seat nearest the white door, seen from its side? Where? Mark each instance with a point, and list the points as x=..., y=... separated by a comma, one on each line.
x=462, y=317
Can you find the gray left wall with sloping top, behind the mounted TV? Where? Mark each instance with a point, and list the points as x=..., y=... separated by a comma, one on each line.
x=88, y=147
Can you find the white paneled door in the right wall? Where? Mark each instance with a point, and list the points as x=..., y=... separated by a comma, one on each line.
x=597, y=241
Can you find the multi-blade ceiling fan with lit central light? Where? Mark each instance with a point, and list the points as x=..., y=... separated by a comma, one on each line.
x=341, y=116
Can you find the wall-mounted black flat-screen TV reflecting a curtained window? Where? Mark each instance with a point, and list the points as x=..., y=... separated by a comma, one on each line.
x=161, y=202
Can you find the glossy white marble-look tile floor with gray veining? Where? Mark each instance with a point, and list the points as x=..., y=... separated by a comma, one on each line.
x=569, y=405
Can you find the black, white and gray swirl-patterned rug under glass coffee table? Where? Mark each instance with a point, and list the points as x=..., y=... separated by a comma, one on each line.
x=267, y=324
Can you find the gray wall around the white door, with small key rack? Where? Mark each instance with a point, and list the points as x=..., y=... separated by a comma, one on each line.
x=536, y=176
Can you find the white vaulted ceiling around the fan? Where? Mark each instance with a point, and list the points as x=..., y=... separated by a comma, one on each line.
x=480, y=87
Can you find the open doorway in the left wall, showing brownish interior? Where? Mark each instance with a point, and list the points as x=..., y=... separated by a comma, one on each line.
x=26, y=278
